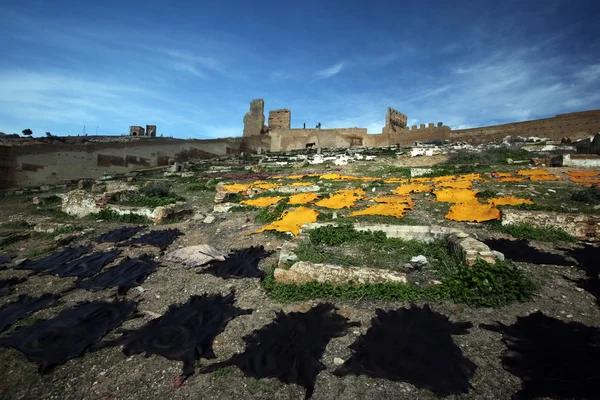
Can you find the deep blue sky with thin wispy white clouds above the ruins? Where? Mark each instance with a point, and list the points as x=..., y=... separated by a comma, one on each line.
x=192, y=67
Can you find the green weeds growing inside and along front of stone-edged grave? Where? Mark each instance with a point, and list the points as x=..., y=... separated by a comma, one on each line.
x=490, y=285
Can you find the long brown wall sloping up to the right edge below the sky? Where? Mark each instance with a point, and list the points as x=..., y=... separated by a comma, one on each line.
x=573, y=125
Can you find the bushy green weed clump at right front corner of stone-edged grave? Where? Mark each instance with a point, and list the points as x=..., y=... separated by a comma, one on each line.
x=489, y=285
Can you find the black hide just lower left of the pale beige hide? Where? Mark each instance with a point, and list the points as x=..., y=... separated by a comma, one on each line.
x=128, y=273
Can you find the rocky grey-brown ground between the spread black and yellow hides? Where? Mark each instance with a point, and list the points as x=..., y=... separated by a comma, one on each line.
x=109, y=374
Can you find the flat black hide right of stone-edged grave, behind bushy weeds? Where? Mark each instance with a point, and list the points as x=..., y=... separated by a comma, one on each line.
x=520, y=250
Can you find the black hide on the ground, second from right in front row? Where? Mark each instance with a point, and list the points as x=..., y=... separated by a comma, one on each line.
x=415, y=346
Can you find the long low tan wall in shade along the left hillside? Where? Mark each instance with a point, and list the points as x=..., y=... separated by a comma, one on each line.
x=35, y=164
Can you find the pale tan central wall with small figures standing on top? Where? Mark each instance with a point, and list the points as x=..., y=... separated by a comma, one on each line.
x=294, y=139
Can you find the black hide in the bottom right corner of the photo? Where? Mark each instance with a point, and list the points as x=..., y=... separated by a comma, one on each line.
x=553, y=358
